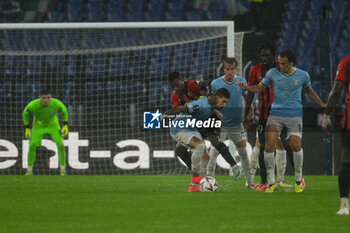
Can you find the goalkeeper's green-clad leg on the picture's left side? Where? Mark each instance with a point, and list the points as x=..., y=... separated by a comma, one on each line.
x=34, y=142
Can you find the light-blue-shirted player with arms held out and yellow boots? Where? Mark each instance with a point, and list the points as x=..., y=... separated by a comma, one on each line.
x=286, y=111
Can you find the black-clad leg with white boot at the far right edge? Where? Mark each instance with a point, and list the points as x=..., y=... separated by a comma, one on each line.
x=344, y=174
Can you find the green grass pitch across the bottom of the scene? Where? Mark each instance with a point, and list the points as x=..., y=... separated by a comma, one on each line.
x=161, y=204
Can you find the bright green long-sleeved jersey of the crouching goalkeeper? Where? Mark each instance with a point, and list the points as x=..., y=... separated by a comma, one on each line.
x=45, y=116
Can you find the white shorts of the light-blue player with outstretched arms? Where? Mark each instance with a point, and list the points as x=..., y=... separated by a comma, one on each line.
x=294, y=125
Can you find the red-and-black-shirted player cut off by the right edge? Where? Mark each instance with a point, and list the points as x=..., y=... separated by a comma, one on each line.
x=341, y=80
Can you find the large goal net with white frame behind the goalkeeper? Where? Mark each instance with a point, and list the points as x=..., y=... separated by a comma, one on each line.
x=108, y=75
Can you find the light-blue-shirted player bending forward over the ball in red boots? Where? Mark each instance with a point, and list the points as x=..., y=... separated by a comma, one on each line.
x=188, y=135
